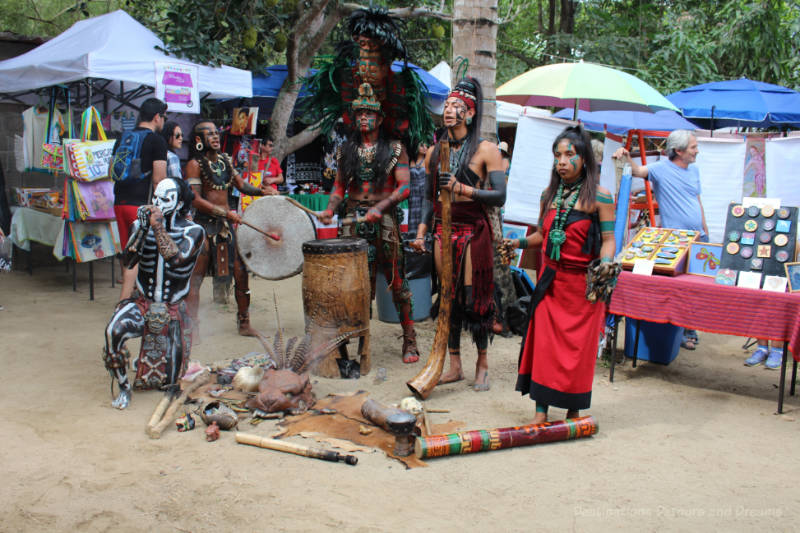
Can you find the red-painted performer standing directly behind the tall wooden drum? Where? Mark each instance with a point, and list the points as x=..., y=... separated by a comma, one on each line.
x=373, y=171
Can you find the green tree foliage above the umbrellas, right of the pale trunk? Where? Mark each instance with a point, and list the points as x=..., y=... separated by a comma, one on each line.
x=672, y=44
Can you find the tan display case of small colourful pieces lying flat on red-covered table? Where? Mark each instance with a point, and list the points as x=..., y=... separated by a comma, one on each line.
x=667, y=248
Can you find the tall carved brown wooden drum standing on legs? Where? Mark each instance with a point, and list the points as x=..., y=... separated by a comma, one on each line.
x=336, y=297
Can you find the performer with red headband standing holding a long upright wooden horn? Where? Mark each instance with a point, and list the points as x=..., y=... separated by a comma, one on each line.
x=476, y=180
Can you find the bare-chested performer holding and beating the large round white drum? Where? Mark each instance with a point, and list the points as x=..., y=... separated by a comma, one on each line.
x=211, y=174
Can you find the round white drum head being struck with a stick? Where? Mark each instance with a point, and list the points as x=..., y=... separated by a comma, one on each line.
x=264, y=257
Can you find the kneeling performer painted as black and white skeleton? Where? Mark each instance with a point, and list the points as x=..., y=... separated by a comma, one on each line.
x=166, y=246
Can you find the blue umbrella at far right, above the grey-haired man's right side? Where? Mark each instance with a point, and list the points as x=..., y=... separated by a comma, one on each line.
x=739, y=103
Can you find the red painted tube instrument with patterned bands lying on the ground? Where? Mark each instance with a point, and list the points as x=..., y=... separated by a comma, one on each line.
x=497, y=439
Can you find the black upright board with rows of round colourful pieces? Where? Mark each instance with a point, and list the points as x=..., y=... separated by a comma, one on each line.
x=759, y=239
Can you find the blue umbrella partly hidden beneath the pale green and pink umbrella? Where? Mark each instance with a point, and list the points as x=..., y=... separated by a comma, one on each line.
x=620, y=122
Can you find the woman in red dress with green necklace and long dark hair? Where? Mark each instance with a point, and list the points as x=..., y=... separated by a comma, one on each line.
x=576, y=225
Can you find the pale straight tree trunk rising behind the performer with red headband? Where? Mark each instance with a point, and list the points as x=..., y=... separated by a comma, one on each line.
x=475, y=38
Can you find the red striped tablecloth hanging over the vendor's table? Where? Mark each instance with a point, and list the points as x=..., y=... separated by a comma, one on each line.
x=697, y=302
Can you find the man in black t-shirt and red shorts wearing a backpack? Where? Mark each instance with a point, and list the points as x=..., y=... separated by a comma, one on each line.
x=130, y=194
